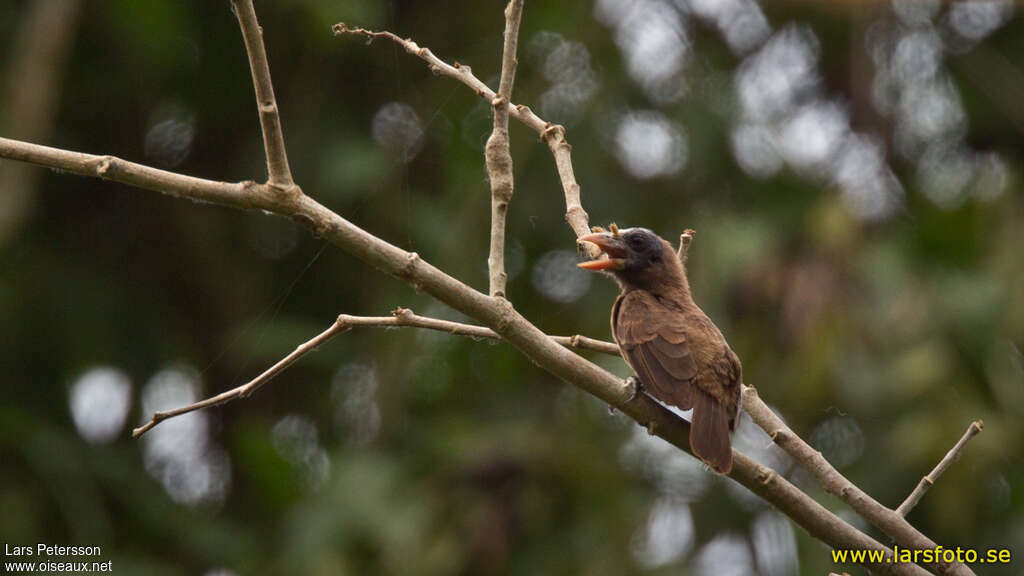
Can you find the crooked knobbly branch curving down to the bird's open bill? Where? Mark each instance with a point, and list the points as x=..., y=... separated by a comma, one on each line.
x=552, y=135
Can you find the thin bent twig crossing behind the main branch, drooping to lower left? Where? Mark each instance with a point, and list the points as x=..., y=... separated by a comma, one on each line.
x=400, y=318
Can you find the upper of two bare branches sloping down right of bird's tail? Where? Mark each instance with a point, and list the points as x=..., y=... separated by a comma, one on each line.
x=894, y=525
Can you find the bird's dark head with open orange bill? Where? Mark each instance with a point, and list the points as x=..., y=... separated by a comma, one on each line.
x=638, y=259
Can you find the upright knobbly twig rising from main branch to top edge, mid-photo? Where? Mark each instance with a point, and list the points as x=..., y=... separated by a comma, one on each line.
x=497, y=156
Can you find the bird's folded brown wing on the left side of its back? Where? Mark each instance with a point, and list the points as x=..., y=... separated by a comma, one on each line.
x=653, y=340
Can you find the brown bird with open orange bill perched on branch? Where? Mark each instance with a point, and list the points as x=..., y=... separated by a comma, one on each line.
x=676, y=351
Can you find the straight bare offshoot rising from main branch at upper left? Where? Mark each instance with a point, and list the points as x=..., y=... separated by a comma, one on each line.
x=279, y=174
